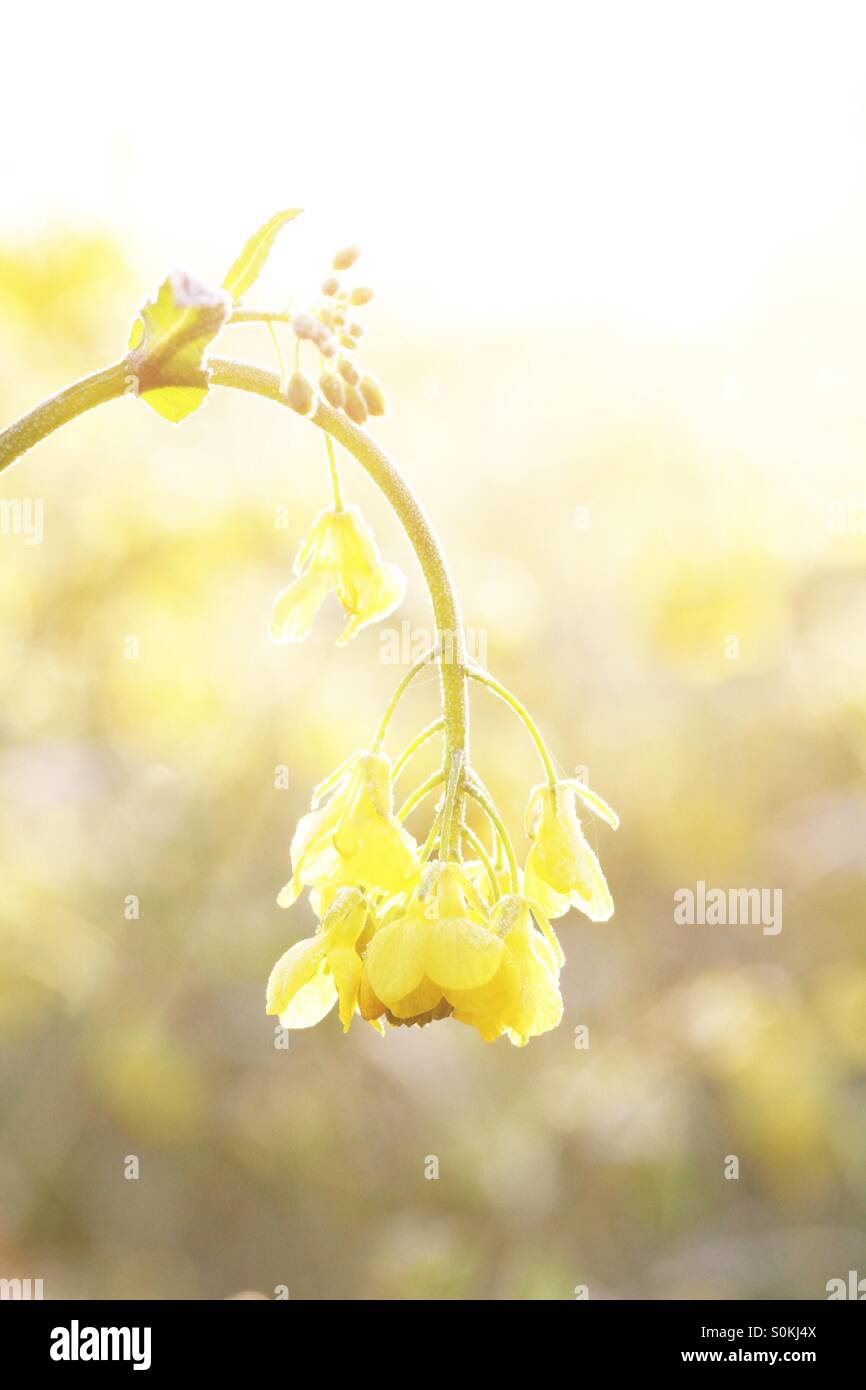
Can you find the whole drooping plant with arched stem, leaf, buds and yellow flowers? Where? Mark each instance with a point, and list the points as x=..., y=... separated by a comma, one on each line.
x=408, y=933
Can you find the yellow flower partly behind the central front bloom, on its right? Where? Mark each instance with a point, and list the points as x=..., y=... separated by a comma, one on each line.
x=523, y=999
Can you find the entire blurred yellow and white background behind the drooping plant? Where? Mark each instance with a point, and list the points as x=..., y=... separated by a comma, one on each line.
x=621, y=298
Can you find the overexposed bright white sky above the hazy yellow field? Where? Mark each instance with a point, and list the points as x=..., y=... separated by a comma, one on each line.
x=658, y=163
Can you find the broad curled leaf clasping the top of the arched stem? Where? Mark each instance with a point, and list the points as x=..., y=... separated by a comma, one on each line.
x=169, y=341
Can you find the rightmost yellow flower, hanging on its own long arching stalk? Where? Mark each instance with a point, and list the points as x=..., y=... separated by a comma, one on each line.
x=562, y=871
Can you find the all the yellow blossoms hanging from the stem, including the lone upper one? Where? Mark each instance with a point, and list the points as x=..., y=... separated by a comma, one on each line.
x=408, y=936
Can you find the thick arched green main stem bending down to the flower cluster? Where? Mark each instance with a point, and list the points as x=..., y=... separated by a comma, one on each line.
x=119, y=382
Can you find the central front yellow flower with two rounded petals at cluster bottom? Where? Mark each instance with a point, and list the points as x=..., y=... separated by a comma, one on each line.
x=443, y=943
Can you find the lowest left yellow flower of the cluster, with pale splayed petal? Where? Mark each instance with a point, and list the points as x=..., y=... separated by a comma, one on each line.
x=315, y=974
